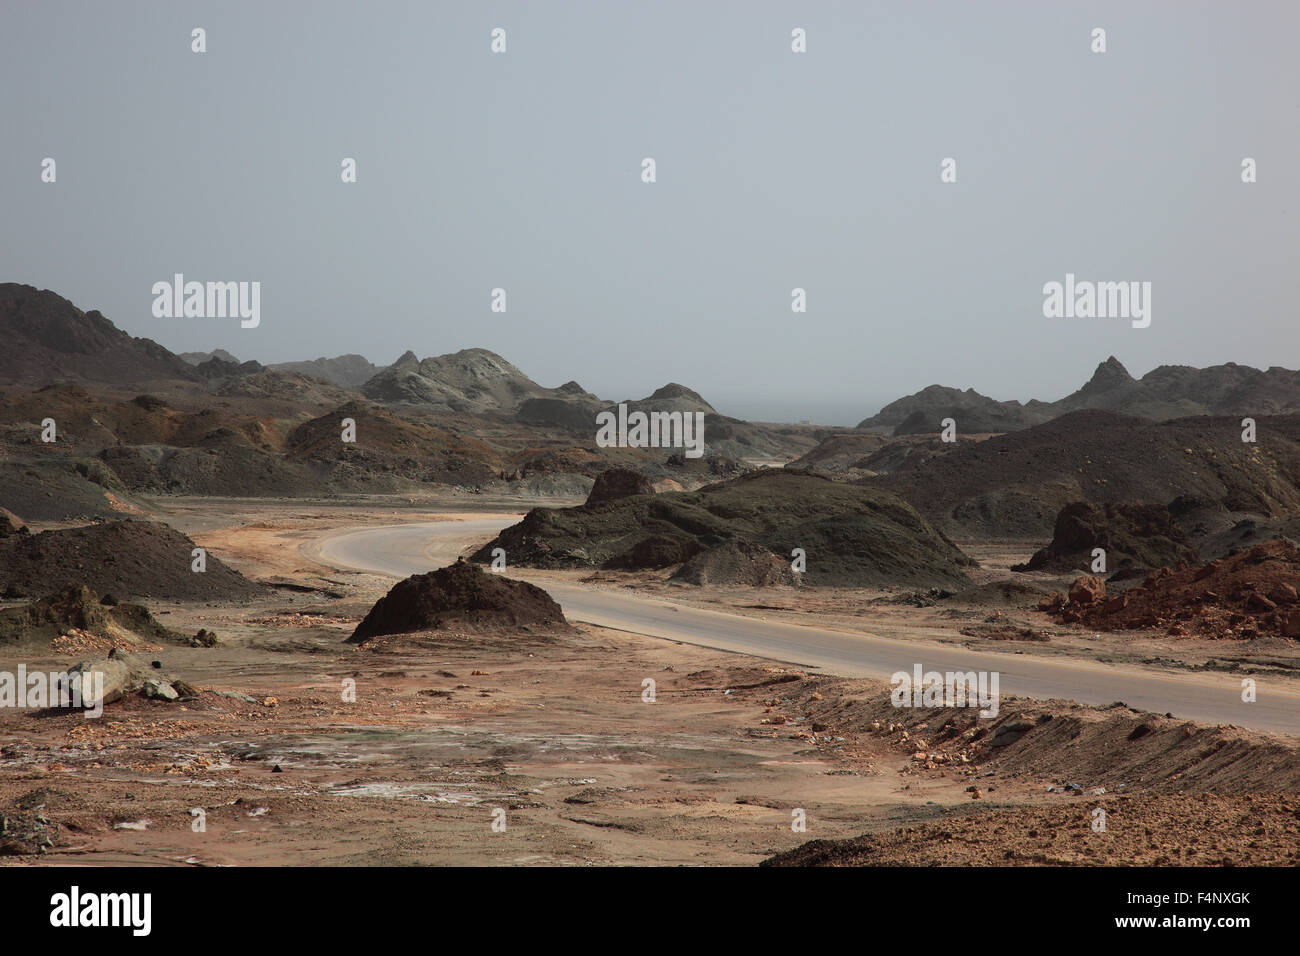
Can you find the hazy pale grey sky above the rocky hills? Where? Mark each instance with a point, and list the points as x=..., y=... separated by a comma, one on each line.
x=775, y=170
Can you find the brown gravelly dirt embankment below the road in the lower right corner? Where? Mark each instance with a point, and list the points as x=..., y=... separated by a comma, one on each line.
x=1169, y=791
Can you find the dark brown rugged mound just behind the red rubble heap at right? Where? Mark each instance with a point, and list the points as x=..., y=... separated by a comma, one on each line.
x=1133, y=537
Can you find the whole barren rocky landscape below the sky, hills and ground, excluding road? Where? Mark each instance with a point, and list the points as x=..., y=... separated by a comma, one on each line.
x=474, y=691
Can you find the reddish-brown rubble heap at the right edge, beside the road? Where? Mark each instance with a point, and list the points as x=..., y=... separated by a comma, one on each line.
x=1243, y=595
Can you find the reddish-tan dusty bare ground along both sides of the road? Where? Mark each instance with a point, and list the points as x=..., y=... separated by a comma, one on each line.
x=547, y=749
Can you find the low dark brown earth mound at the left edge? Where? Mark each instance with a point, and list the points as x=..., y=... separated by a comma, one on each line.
x=124, y=559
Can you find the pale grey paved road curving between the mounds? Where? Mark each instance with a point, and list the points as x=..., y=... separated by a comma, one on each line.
x=406, y=550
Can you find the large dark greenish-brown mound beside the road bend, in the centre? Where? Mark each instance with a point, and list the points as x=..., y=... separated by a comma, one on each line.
x=853, y=535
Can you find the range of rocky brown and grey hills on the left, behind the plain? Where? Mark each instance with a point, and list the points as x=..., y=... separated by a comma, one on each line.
x=133, y=419
